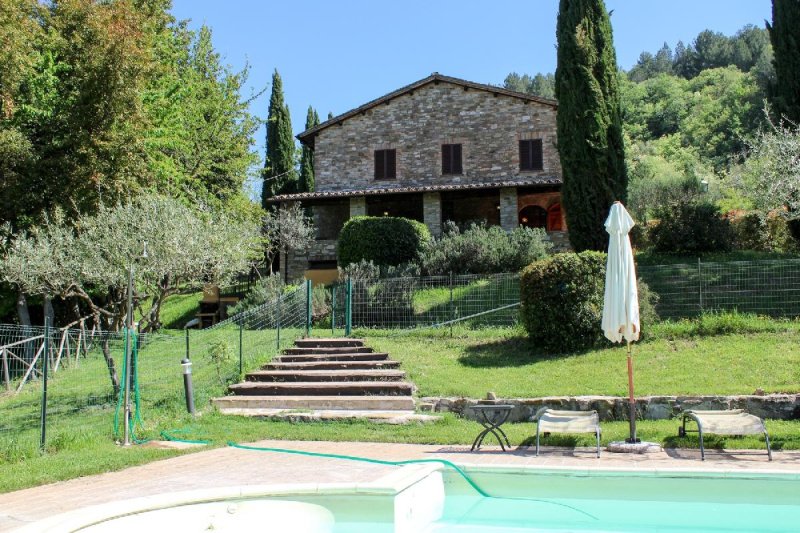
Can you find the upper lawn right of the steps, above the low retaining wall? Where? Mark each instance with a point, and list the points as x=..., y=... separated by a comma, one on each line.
x=503, y=361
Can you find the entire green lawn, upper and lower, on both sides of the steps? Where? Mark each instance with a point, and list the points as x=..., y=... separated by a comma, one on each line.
x=698, y=357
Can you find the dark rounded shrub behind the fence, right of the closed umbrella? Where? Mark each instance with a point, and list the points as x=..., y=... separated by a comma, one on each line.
x=693, y=228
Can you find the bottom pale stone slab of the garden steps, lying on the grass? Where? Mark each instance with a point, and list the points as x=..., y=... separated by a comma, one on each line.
x=321, y=415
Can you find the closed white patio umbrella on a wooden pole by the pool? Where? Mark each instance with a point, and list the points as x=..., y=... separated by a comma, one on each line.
x=621, y=302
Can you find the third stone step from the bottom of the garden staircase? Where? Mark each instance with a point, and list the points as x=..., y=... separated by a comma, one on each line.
x=322, y=388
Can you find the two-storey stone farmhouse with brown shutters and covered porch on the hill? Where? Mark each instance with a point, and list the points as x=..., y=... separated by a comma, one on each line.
x=438, y=149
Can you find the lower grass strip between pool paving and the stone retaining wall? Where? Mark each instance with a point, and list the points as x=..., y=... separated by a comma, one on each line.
x=84, y=449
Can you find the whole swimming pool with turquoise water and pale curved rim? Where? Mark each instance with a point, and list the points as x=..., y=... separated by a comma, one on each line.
x=429, y=499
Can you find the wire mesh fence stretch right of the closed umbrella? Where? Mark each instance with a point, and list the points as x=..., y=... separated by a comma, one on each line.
x=768, y=287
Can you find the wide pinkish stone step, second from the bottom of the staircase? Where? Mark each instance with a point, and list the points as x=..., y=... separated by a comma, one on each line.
x=362, y=403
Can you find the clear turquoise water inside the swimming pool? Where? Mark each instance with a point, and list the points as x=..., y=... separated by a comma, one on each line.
x=591, y=501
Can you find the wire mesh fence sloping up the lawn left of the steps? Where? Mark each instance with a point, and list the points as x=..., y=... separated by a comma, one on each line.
x=85, y=373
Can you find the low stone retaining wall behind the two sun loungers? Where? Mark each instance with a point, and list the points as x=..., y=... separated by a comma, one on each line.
x=775, y=406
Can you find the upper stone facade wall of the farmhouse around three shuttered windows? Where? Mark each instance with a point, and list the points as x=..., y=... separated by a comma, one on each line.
x=417, y=123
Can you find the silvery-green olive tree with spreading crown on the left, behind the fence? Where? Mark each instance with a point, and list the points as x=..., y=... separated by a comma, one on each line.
x=92, y=258
